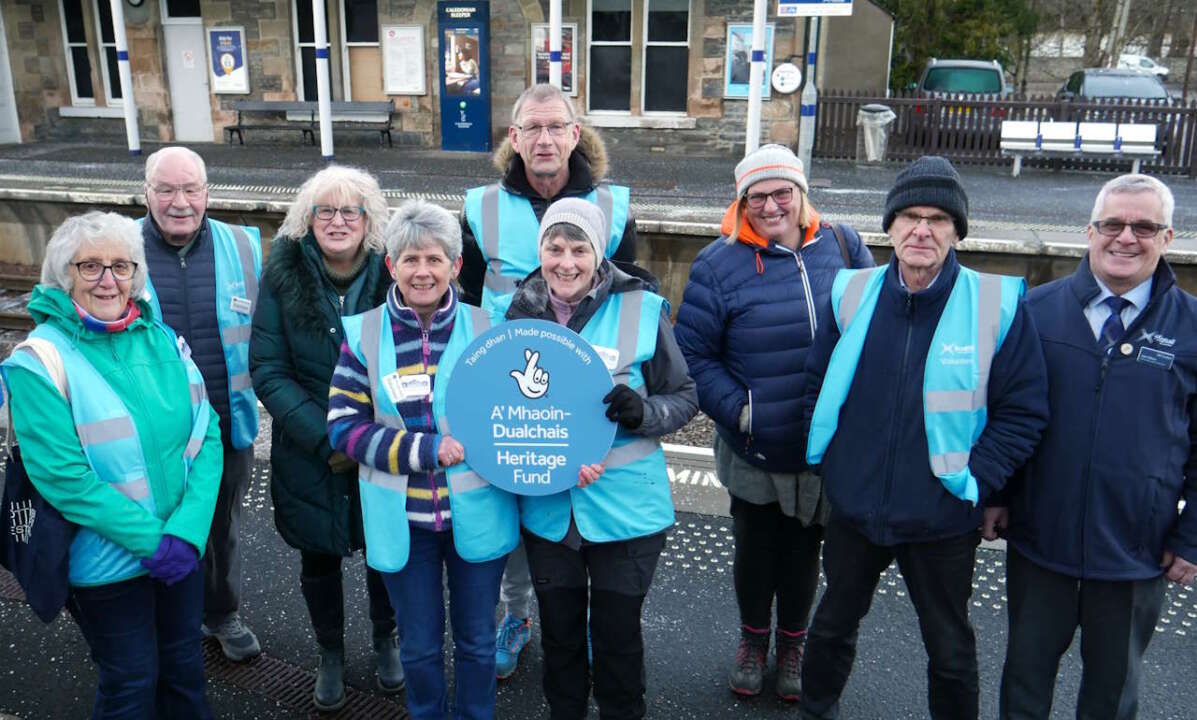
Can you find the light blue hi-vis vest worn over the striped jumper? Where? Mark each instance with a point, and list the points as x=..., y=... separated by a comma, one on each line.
x=485, y=520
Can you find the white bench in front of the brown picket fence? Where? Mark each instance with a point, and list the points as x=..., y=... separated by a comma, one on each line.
x=1022, y=138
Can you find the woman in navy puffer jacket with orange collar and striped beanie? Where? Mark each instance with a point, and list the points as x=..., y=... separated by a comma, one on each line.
x=748, y=319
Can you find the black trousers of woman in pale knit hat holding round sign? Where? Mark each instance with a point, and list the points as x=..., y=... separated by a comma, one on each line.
x=611, y=581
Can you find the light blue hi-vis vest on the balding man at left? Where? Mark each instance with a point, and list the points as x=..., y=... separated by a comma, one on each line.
x=239, y=253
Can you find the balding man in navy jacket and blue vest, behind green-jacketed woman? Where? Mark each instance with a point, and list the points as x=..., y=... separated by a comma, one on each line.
x=204, y=280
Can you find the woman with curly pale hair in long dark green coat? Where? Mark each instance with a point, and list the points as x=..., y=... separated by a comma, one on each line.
x=326, y=263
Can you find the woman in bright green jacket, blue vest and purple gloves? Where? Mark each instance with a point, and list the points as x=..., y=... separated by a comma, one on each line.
x=118, y=435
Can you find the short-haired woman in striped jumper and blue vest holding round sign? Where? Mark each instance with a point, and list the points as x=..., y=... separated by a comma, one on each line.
x=427, y=517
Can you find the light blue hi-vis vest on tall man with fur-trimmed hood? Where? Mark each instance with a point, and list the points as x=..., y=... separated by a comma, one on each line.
x=506, y=228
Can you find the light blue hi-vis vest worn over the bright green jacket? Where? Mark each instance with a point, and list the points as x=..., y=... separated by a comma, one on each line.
x=113, y=448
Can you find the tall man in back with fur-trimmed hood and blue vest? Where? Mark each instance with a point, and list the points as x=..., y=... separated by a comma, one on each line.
x=548, y=156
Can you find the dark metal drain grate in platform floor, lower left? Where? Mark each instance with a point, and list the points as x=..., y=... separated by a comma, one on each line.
x=272, y=679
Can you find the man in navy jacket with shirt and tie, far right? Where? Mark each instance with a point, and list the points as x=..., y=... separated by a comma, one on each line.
x=1092, y=521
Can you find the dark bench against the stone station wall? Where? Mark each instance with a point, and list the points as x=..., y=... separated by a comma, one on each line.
x=277, y=115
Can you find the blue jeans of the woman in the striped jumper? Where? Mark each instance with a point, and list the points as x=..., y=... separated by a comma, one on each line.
x=418, y=597
